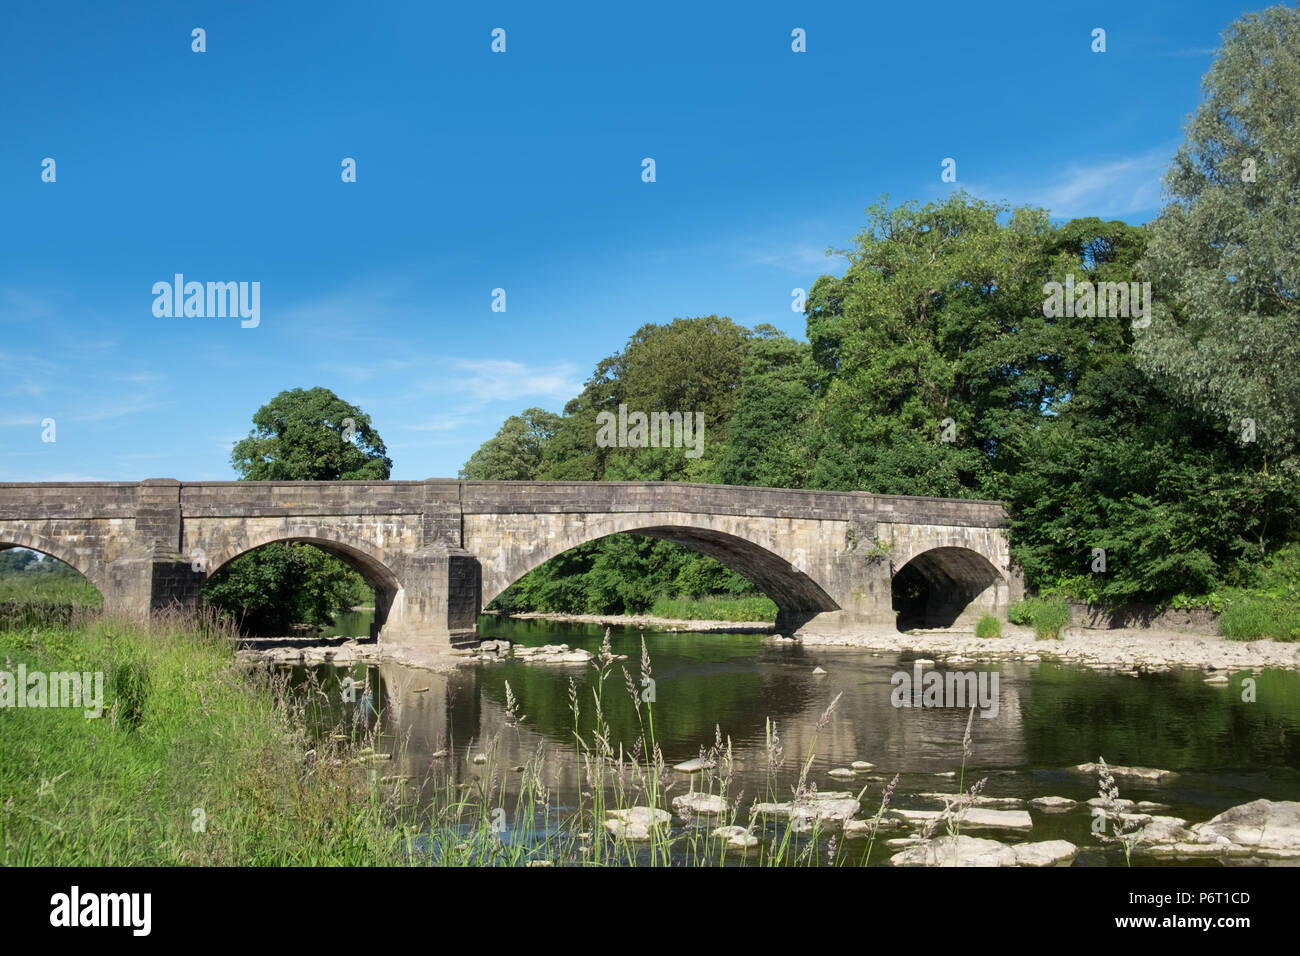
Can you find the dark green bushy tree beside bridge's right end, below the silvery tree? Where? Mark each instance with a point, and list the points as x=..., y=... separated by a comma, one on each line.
x=1130, y=469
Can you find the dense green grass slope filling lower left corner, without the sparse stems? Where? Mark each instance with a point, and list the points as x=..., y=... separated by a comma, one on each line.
x=192, y=762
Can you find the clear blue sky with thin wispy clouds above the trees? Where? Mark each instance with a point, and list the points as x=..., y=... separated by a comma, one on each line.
x=519, y=171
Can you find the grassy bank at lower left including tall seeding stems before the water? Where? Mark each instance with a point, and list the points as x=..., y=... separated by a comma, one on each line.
x=196, y=762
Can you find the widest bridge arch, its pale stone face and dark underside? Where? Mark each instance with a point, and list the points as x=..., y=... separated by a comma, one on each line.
x=775, y=569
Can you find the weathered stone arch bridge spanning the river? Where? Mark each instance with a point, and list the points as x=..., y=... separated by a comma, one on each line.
x=437, y=552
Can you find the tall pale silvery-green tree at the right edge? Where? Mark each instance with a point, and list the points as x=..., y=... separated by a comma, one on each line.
x=1225, y=254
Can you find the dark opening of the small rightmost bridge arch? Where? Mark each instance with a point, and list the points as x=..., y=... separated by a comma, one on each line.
x=943, y=586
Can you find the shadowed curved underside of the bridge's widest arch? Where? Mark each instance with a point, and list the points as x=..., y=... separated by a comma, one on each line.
x=798, y=596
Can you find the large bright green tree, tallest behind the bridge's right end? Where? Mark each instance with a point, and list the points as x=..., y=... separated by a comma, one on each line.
x=935, y=344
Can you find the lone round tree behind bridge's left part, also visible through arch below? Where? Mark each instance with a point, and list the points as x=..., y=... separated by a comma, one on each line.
x=300, y=436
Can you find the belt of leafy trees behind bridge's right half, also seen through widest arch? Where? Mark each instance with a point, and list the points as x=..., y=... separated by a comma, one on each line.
x=931, y=367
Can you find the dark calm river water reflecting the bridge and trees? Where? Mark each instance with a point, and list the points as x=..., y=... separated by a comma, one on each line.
x=1050, y=717
